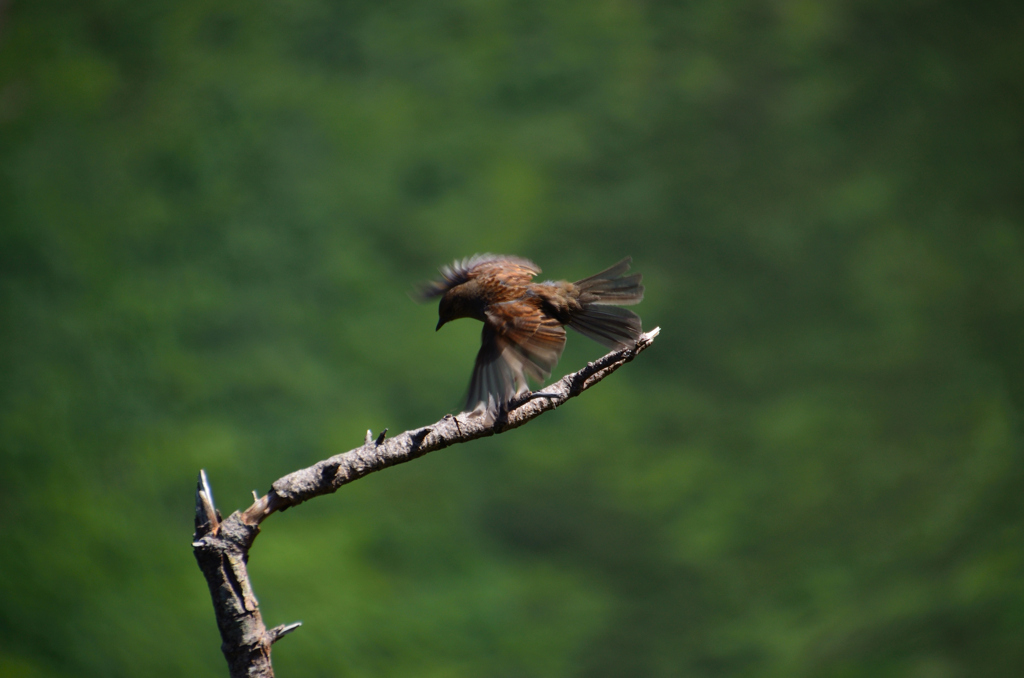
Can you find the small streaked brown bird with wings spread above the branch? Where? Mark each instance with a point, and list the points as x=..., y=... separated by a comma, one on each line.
x=524, y=321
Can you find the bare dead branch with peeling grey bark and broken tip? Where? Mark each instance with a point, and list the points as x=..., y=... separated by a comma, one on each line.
x=222, y=546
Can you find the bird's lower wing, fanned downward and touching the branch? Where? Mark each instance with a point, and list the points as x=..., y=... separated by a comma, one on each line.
x=519, y=341
